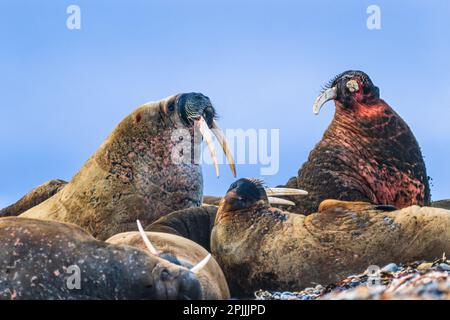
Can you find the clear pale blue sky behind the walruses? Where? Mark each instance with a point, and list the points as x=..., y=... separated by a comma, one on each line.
x=261, y=62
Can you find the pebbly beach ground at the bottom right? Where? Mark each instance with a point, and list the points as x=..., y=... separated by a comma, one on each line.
x=418, y=280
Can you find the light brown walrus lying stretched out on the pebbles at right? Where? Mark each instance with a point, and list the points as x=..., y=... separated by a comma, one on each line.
x=260, y=247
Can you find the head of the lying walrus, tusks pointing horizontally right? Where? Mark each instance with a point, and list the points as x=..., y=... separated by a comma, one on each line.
x=248, y=194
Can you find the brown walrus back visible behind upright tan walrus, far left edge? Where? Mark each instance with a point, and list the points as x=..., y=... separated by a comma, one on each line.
x=33, y=198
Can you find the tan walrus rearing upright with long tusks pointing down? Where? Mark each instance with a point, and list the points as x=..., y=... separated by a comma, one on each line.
x=147, y=167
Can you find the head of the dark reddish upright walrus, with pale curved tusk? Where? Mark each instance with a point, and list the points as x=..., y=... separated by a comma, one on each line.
x=348, y=89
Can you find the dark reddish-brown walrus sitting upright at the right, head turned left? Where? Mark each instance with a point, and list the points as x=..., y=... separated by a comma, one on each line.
x=368, y=153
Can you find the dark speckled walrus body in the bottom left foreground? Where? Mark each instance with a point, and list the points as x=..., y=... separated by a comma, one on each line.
x=35, y=256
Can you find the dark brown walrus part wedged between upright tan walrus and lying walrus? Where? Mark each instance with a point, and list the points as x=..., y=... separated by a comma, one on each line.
x=194, y=224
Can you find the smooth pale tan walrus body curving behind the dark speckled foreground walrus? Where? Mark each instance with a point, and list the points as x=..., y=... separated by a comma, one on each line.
x=184, y=252
